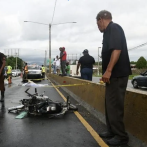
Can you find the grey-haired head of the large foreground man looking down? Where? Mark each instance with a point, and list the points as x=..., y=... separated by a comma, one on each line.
x=103, y=18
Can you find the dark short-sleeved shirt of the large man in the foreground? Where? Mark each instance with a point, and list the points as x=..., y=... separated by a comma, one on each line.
x=114, y=39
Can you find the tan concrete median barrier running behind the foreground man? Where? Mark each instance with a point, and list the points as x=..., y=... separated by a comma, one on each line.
x=94, y=94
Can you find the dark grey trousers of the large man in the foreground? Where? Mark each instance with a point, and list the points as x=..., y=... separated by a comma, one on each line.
x=114, y=106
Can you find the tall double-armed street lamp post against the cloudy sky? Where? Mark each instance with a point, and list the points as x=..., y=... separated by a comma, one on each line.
x=50, y=25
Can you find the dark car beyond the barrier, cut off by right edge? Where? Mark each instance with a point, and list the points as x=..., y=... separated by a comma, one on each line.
x=140, y=80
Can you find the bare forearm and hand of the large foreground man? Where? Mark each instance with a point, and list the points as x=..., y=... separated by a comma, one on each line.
x=113, y=60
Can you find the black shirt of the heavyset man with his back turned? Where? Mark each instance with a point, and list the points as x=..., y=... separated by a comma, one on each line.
x=86, y=61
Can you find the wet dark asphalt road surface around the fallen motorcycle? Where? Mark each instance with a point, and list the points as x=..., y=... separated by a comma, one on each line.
x=41, y=131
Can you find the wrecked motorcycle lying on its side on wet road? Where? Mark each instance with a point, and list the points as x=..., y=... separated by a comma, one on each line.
x=41, y=104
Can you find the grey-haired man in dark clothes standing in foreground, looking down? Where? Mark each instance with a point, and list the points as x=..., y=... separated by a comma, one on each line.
x=116, y=69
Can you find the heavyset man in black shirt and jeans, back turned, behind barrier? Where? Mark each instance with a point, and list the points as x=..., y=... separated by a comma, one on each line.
x=86, y=63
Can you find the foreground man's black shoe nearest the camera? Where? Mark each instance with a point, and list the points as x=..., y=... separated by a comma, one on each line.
x=115, y=141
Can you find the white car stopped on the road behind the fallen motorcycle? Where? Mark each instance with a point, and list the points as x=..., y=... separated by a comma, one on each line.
x=34, y=72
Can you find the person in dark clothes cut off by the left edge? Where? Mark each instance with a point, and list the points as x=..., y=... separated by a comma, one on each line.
x=2, y=65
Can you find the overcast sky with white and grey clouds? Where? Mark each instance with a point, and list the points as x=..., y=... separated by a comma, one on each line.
x=32, y=39
